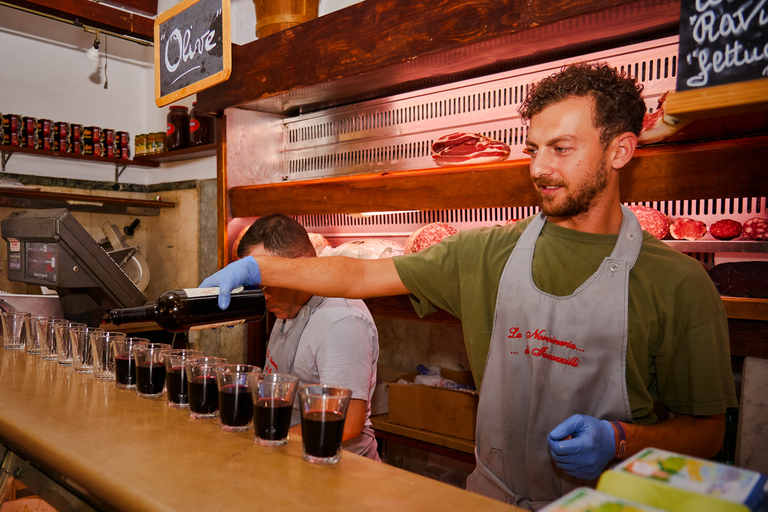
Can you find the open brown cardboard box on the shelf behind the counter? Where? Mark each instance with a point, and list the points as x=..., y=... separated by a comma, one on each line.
x=444, y=411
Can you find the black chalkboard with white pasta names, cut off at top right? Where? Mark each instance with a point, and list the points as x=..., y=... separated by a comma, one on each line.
x=722, y=42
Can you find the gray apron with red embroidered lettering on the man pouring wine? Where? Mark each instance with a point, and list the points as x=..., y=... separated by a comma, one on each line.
x=550, y=357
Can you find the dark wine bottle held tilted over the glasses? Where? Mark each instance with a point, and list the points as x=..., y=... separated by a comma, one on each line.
x=194, y=309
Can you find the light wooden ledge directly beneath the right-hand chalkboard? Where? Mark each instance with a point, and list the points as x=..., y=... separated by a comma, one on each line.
x=721, y=100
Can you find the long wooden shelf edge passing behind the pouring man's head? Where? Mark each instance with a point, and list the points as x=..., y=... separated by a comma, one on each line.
x=657, y=173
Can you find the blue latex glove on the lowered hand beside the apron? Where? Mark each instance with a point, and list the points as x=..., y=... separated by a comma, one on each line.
x=590, y=448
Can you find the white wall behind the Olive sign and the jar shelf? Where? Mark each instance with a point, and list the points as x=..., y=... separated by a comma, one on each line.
x=44, y=73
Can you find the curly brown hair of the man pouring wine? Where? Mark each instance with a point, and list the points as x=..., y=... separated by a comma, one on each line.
x=619, y=105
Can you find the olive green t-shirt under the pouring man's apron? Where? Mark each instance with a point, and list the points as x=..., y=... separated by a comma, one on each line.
x=679, y=352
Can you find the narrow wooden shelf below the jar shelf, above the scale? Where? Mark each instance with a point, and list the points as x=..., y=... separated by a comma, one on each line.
x=31, y=197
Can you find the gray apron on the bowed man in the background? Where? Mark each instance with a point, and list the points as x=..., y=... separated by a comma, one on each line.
x=285, y=336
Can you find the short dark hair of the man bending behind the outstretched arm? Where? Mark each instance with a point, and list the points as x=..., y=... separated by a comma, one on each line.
x=280, y=235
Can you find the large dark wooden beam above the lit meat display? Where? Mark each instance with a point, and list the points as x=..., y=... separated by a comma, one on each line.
x=377, y=47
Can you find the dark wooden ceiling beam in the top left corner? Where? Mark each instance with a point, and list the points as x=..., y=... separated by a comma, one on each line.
x=94, y=15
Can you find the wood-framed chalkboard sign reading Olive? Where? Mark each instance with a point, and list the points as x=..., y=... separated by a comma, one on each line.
x=193, y=48
